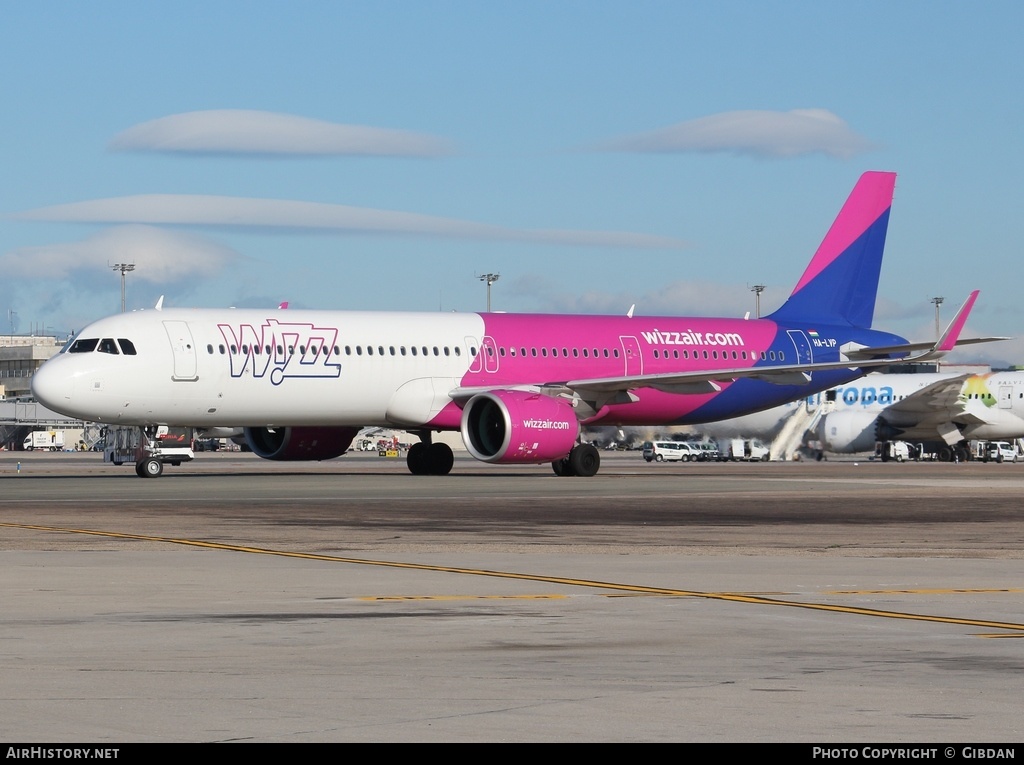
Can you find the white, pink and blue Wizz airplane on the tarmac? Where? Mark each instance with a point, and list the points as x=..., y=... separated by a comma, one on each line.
x=301, y=385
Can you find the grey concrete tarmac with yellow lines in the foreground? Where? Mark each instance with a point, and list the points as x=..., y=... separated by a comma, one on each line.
x=236, y=600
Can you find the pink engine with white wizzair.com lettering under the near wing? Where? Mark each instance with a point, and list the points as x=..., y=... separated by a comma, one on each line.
x=514, y=427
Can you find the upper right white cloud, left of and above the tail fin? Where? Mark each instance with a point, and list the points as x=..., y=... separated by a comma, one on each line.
x=761, y=134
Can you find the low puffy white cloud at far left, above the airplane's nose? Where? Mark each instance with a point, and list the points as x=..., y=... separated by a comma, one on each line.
x=160, y=257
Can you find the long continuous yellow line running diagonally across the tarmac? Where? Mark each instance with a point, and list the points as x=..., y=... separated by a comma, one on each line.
x=590, y=584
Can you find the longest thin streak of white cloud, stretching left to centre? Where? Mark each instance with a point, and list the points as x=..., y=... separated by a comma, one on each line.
x=255, y=214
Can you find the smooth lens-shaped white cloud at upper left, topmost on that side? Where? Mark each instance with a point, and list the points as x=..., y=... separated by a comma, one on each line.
x=251, y=133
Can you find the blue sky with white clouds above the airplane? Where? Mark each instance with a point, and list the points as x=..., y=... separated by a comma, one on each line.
x=596, y=155
